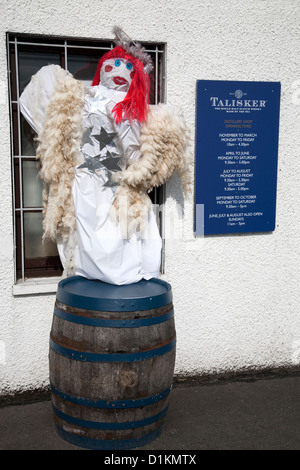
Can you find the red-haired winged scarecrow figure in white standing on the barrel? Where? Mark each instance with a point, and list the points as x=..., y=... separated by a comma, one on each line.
x=102, y=148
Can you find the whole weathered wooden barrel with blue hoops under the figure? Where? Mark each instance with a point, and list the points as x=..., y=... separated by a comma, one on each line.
x=112, y=357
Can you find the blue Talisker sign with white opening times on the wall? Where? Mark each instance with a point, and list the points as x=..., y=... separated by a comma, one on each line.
x=236, y=156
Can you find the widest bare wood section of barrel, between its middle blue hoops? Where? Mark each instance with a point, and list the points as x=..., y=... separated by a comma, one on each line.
x=108, y=380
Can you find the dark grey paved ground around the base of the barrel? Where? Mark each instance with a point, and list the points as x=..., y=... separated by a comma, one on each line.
x=259, y=415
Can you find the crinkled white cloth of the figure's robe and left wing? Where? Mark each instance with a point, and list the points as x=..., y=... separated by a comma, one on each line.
x=101, y=252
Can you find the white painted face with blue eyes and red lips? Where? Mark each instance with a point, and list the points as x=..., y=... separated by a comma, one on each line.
x=116, y=74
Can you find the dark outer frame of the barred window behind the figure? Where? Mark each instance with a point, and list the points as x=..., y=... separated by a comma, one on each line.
x=16, y=42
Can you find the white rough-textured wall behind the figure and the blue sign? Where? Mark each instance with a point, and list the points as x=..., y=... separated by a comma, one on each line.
x=236, y=297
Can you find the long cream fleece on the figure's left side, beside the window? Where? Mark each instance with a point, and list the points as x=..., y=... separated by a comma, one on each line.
x=59, y=154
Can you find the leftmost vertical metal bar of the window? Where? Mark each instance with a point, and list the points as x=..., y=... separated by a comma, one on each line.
x=20, y=162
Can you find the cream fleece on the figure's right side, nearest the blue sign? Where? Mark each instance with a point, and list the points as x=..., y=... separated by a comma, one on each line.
x=164, y=149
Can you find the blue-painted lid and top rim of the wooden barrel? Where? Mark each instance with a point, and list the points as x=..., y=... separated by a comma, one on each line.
x=80, y=292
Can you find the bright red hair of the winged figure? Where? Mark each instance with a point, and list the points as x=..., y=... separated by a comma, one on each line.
x=135, y=103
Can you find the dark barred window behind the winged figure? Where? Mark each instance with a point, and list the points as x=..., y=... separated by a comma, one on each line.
x=26, y=55
